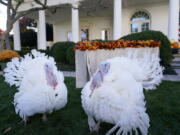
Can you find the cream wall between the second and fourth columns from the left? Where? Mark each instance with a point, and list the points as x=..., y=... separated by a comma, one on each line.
x=94, y=24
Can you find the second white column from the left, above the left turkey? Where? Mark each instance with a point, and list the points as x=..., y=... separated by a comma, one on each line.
x=42, y=30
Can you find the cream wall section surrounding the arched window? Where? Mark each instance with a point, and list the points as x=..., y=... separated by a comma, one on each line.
x=158, y=13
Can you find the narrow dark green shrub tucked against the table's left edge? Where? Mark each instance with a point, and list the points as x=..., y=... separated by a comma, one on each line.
x=70, y=55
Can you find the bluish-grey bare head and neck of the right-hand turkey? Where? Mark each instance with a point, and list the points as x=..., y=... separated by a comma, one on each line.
x=99, y=76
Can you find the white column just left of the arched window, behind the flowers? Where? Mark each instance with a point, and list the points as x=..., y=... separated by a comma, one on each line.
x=117, y=28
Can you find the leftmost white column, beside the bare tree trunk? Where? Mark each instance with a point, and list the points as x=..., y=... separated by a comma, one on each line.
x=17, y=40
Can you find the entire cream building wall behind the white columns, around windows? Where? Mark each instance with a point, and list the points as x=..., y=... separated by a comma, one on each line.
x=158, y=13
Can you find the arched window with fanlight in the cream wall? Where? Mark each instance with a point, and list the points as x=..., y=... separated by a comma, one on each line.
x=140, y=21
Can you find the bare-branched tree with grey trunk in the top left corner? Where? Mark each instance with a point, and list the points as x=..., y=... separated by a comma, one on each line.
x=13, y=15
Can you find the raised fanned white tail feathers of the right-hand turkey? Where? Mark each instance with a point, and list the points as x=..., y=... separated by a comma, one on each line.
x=150, y=64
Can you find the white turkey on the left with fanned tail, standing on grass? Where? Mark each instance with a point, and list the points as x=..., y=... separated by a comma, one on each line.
x=41, y=87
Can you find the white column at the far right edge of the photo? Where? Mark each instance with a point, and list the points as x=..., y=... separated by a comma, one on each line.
x=173, y=23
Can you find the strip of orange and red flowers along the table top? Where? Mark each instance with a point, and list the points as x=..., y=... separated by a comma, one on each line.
x=94, y=45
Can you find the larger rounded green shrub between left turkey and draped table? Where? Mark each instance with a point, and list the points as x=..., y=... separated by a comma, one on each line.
x=59, y=49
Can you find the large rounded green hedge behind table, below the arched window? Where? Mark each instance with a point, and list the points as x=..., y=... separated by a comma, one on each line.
x=165, y=49
